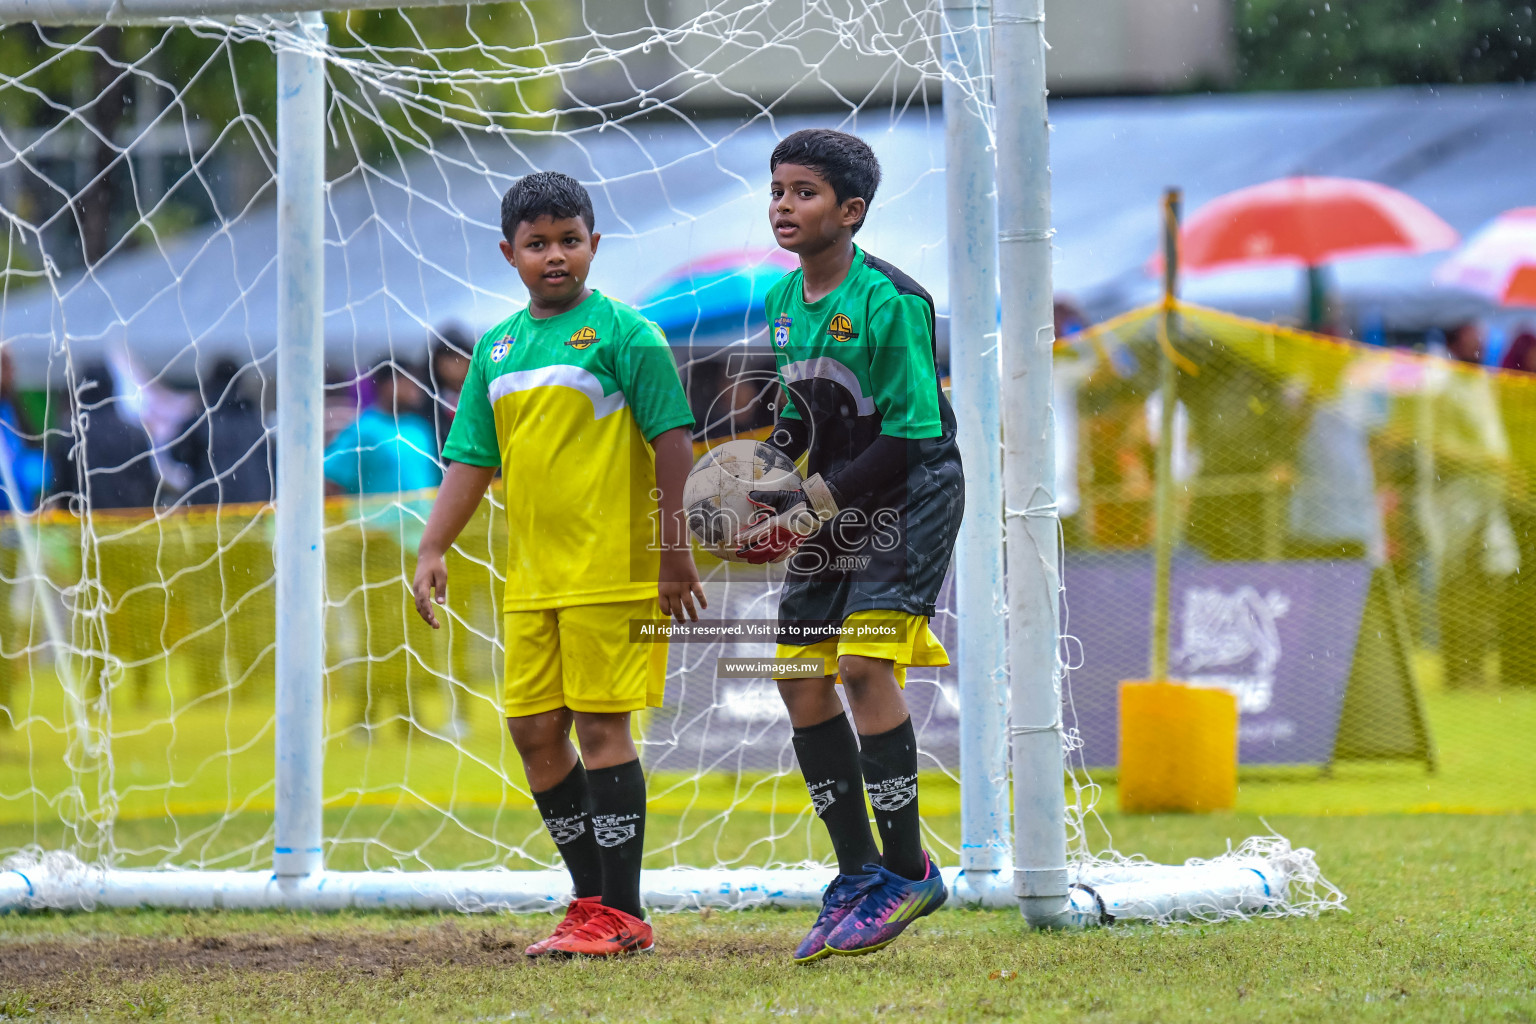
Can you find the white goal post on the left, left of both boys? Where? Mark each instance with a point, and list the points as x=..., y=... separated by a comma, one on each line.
x=302, y=397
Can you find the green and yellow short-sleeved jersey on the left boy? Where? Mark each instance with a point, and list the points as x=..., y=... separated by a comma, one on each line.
x=568, y=408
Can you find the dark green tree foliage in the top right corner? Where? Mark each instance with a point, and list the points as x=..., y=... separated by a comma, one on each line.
x=1352, y=44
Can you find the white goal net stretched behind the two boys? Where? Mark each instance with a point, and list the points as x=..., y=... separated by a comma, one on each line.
x=139, y=317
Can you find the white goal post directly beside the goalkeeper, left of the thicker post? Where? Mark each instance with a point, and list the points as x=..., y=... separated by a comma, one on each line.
x=982, y=650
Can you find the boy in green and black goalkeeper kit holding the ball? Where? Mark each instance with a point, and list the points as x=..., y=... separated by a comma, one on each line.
x=867, y=540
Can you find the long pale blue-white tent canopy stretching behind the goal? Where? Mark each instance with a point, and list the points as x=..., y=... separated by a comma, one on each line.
x=414, y=246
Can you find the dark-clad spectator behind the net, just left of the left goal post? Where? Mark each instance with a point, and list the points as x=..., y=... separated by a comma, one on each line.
x=227, y=446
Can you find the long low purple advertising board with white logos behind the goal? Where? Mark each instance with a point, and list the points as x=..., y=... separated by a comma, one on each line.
x=1280, y=635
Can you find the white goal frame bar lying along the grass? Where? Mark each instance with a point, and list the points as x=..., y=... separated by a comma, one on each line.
x=1101, y=894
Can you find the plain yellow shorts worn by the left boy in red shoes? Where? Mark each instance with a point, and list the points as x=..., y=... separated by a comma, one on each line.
x=583, y=659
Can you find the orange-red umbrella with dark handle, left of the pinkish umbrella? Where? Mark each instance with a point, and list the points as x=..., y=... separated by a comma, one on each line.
x=1309, y=222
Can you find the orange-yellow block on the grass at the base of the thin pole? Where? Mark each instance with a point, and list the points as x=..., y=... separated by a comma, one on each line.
x=1179, y=748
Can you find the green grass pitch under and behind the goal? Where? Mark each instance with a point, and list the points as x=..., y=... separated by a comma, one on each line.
x=1440, y=922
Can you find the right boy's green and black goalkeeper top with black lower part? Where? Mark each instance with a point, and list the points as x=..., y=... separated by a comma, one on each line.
x=858, y=365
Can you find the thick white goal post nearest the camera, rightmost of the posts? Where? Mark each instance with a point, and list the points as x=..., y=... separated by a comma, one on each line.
x=1024, y=214
